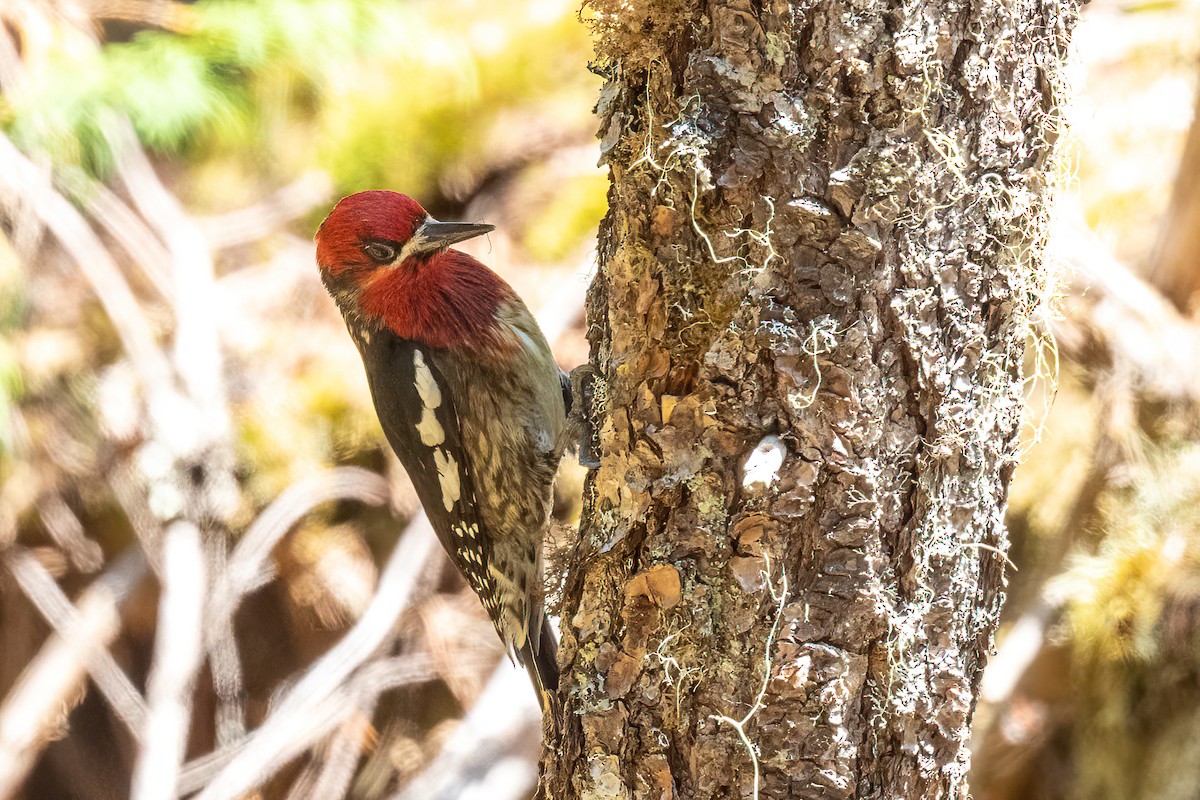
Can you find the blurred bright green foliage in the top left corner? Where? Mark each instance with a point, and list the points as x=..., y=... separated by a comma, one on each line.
x=175, y=88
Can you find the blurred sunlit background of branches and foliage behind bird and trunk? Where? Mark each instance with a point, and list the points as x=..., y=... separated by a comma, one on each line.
x=167, y=351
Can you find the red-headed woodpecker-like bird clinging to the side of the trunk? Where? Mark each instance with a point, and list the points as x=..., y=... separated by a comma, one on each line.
x=470, y=398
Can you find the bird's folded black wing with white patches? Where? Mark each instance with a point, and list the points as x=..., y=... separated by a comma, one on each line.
x=419, y=419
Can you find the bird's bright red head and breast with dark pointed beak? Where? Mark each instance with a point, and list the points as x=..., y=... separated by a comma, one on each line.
x=386, y=261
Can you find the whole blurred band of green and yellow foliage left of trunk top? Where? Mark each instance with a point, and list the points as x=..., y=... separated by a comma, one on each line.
x=380, y=95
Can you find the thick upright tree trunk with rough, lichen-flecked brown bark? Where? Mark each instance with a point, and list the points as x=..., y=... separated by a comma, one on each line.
x=823, y=255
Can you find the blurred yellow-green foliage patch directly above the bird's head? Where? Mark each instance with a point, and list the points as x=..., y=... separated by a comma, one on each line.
x=440, y=105
